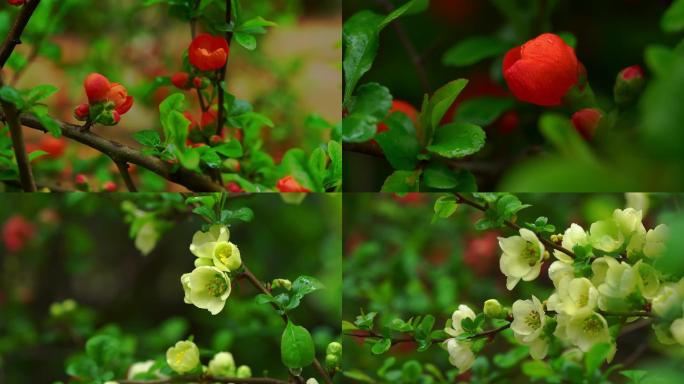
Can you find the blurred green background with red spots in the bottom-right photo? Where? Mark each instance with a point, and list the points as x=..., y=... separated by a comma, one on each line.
x=399, y=264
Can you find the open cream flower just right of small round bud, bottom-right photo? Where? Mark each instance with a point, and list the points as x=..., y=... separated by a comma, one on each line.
x=528, y=326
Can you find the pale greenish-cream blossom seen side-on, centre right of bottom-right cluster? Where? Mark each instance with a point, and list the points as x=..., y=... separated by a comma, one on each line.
x=620, y=281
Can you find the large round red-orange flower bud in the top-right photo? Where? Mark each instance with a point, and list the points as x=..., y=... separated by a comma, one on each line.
x=542, y=71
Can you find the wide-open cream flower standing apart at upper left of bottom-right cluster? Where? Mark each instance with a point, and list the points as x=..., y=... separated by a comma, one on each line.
x=522, y=257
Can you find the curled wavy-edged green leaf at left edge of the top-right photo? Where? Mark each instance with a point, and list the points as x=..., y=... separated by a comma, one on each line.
x=367, y=108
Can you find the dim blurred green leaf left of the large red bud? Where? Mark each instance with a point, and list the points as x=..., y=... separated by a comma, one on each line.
x=474, y=50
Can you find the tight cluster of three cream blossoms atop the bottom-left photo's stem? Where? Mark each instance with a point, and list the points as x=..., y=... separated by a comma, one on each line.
x=208, y=285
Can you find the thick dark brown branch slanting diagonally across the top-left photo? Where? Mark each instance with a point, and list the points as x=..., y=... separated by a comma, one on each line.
x=185, y=177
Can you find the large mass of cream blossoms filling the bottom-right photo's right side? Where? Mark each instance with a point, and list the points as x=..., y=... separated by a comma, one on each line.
x=611, y=278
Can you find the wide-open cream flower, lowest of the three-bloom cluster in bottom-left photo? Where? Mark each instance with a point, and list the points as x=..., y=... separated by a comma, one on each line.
x=207, y=288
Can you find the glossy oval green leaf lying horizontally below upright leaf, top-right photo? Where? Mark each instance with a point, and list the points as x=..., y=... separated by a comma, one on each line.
x=458, y=140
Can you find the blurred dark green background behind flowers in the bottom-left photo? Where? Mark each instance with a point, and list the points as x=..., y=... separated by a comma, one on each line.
x=80, y=250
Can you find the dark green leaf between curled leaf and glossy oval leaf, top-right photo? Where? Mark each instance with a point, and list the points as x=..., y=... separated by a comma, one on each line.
x=400, y=143
